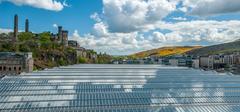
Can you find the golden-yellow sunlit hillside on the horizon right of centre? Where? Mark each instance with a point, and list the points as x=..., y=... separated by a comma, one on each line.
x=165, y=51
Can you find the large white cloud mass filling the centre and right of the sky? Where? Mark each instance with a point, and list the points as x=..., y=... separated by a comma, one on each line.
x=123, y=26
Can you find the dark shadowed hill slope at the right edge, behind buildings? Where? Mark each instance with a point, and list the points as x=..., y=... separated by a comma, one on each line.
x=216, y=49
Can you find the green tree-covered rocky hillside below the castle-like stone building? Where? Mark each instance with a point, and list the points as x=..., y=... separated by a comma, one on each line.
x=47, y=53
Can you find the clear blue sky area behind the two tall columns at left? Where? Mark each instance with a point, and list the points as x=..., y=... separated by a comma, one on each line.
x=71, y=17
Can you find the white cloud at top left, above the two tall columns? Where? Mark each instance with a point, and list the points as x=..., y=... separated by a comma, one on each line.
x=52, y=5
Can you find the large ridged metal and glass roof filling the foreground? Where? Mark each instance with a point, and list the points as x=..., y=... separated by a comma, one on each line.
x=120, y=88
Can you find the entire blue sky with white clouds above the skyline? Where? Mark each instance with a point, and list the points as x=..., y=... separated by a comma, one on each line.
x=122, y=27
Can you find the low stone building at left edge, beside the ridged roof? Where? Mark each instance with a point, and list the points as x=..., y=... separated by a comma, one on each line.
x=15, y=63
